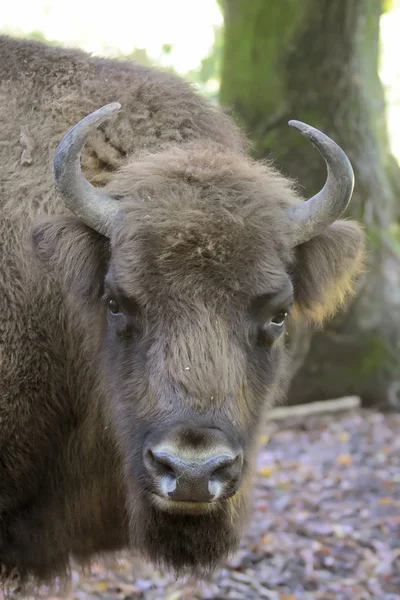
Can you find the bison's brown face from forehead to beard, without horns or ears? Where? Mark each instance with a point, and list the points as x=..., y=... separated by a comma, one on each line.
x=194, y=314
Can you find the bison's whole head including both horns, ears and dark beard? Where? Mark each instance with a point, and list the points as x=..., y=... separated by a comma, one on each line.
x=190, y=263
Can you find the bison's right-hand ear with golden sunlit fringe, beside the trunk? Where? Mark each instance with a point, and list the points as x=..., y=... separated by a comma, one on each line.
x=325, y=270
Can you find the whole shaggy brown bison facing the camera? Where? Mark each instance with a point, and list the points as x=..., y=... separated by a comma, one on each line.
x=144, y=301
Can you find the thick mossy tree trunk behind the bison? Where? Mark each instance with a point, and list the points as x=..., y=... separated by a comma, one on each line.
x=316, y=61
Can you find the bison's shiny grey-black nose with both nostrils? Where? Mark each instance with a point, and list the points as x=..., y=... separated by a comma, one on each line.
x=201, y=478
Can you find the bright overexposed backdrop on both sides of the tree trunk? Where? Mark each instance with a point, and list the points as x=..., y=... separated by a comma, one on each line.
x=173, y=33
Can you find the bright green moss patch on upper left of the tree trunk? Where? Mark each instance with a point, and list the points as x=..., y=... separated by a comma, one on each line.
x=256, y=44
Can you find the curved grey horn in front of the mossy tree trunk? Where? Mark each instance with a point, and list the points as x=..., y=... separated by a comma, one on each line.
x=311, y=217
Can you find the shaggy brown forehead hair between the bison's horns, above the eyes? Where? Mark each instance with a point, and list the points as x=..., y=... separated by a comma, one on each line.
x=193, y=234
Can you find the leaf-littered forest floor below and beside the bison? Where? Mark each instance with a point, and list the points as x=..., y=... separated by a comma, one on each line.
x=325, y=523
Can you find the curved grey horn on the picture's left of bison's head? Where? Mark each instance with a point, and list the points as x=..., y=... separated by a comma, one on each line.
x=91, y=204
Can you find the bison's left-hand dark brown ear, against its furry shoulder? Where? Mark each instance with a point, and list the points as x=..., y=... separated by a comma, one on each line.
x=76, y=254
